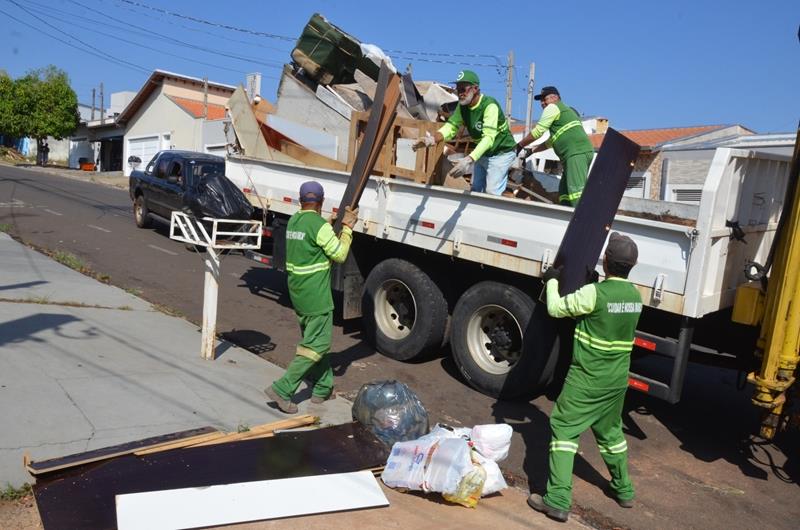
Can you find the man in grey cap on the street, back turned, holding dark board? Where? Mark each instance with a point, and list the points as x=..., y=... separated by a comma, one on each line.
x=606, y=315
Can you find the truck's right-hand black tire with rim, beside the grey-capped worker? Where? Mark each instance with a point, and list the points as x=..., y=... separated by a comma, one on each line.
x=502, y=342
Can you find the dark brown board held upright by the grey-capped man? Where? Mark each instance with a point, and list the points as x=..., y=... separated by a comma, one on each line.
x=590, y=224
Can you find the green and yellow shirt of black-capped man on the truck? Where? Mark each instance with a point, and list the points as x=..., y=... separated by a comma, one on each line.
x=567, y=137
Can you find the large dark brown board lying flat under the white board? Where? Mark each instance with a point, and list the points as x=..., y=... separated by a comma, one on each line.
x=84, y=497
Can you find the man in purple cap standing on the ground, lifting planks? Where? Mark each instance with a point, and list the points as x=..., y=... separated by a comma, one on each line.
x=311, y=245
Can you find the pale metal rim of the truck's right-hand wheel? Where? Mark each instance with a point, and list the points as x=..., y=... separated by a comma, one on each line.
x=494, y=339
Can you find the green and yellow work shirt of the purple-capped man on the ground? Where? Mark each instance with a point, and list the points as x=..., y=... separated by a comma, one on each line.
x=311, y=245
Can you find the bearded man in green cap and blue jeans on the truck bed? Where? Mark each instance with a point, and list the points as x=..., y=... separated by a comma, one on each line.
x=487, y=125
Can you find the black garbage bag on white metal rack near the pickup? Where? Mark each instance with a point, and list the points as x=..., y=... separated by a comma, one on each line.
x=216, y=196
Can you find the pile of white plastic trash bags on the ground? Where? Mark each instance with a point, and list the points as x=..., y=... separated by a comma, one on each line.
x=460, y=463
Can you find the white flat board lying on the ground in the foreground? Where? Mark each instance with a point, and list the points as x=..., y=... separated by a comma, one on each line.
x=248, y=501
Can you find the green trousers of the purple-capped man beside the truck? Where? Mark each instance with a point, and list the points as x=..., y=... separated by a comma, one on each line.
x=311, y=358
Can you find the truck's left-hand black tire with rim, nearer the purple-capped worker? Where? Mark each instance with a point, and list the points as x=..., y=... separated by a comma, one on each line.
x=404, y=311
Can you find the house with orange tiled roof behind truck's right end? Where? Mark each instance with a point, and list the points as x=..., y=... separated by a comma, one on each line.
x=651, y=172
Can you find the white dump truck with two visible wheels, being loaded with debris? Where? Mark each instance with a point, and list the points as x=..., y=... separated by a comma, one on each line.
x=433, y=265
